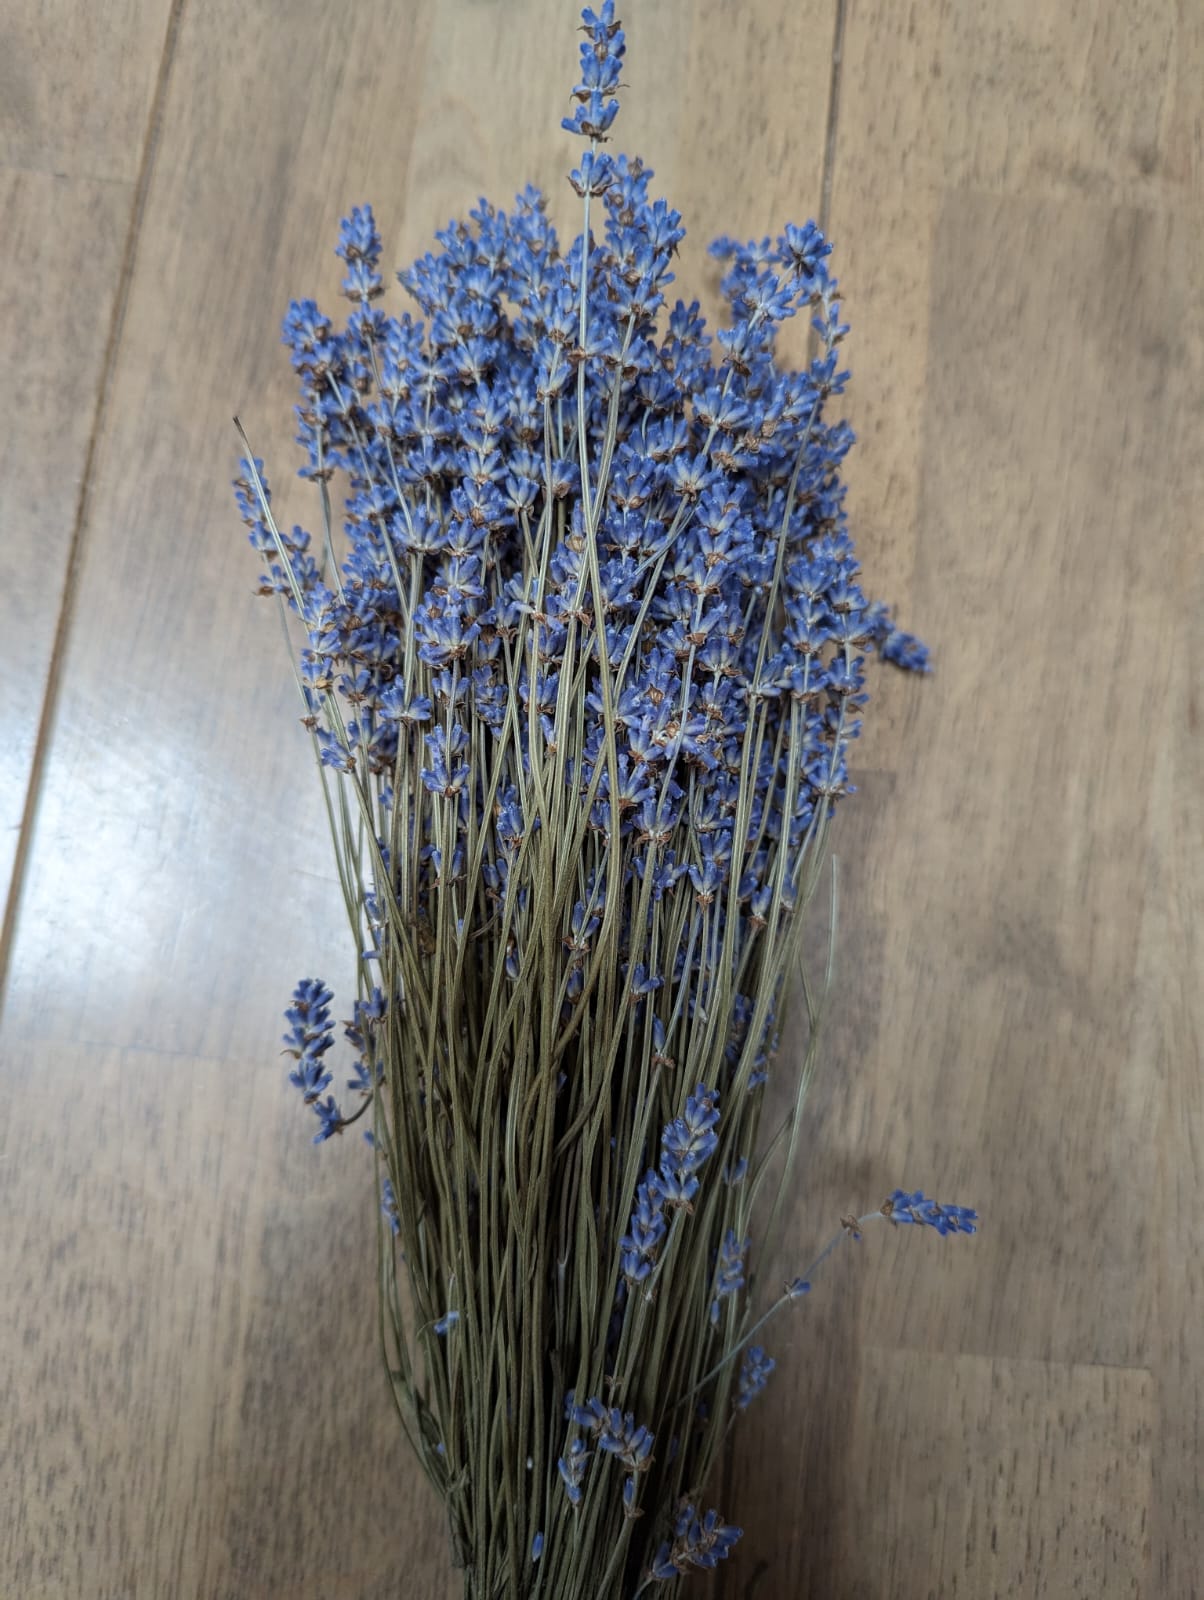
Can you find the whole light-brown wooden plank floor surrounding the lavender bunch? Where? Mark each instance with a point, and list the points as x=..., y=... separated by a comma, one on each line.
x=190, y=1390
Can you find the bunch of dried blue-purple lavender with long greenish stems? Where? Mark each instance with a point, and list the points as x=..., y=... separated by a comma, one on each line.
x=582, y=690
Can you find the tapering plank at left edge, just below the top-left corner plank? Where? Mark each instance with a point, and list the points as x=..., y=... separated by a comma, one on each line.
x=58, y=282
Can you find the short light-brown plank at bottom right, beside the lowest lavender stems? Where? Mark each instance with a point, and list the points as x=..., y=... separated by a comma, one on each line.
x=958, y=1476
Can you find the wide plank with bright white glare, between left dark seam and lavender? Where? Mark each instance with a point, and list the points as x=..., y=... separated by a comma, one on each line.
x=180, y=732
